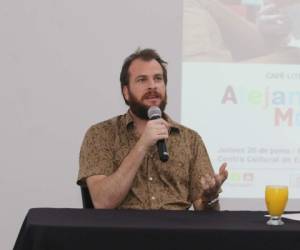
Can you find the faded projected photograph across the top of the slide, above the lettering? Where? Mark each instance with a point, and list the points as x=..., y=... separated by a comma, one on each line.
x=254, y=31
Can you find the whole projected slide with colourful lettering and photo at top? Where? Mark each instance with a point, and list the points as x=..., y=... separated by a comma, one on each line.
x=241, y=89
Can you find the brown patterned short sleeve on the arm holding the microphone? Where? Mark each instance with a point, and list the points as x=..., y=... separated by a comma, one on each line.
x=95, y=155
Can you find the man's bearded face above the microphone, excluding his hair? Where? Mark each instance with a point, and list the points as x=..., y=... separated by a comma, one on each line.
x=146, y=87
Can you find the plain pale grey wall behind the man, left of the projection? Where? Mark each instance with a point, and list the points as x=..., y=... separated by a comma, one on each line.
x=59, y=69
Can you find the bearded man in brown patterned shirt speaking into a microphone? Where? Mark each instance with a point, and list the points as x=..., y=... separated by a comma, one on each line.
x=119, y=161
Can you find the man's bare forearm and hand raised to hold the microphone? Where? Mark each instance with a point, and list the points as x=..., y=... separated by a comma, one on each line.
x=110, y=191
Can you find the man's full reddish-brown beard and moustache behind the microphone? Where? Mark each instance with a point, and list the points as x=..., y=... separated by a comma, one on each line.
x=140, y=109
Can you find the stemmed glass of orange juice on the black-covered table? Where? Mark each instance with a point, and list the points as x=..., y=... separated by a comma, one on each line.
x=276, y=198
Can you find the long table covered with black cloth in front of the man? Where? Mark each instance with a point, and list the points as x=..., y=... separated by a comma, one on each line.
x=89, y=229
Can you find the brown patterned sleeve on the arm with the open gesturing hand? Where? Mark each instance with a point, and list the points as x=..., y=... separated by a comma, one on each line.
x=200, y=166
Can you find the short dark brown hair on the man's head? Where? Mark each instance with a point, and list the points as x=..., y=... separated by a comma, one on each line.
x=145, y=55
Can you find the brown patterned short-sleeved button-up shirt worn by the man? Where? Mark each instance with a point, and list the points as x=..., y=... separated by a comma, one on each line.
x=174, y=184
